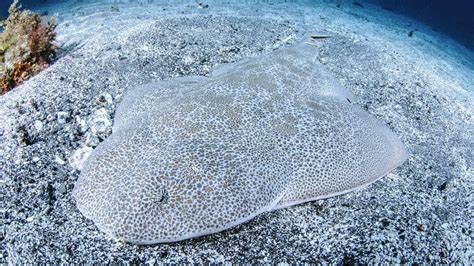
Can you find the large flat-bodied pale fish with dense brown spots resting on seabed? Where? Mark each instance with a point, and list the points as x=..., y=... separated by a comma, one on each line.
x=194, y=156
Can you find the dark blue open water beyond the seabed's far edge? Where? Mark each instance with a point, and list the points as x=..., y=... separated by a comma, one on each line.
x=452, y=17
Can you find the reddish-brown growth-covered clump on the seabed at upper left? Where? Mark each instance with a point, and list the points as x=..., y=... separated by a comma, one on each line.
x=26, y=46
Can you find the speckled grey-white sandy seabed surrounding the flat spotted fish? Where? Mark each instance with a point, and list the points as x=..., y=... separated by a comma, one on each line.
x=421, y=86
